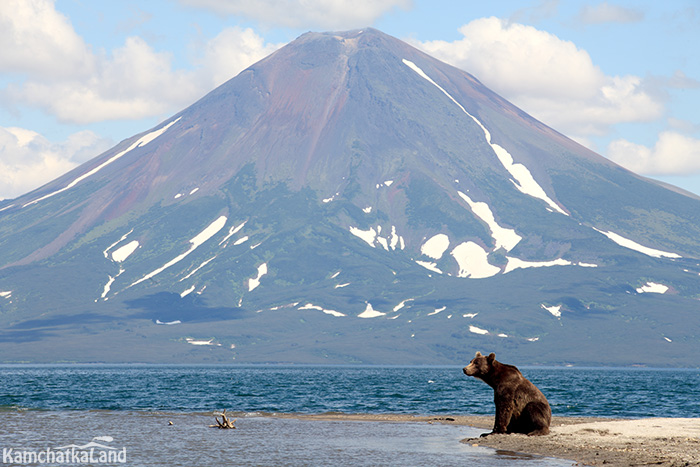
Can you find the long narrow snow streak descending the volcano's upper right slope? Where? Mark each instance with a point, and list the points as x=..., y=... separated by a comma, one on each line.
x=524, y=181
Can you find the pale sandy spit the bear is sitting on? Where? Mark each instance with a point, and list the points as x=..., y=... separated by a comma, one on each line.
x=588, y=441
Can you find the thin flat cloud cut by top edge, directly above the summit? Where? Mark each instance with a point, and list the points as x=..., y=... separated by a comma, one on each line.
x=323, y=14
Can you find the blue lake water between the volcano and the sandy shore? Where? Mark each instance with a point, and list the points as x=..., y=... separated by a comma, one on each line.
x=52, y=406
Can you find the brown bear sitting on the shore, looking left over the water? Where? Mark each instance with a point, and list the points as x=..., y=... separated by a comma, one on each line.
x=520, y=406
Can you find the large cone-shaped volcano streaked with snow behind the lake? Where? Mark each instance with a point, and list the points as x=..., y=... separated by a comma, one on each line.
x=350, y=199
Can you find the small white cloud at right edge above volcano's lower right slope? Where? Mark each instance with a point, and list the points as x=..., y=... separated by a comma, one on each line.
x=673, y=154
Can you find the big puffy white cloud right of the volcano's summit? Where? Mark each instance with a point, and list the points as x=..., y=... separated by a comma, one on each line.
x=548, y=77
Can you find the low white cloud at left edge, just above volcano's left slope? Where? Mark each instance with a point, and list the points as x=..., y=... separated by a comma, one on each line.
x=28, y=160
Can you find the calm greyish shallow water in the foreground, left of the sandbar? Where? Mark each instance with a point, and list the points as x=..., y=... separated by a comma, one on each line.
x=149, y=440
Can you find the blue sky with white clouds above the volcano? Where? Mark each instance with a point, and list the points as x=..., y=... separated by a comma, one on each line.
x=78, y=76
